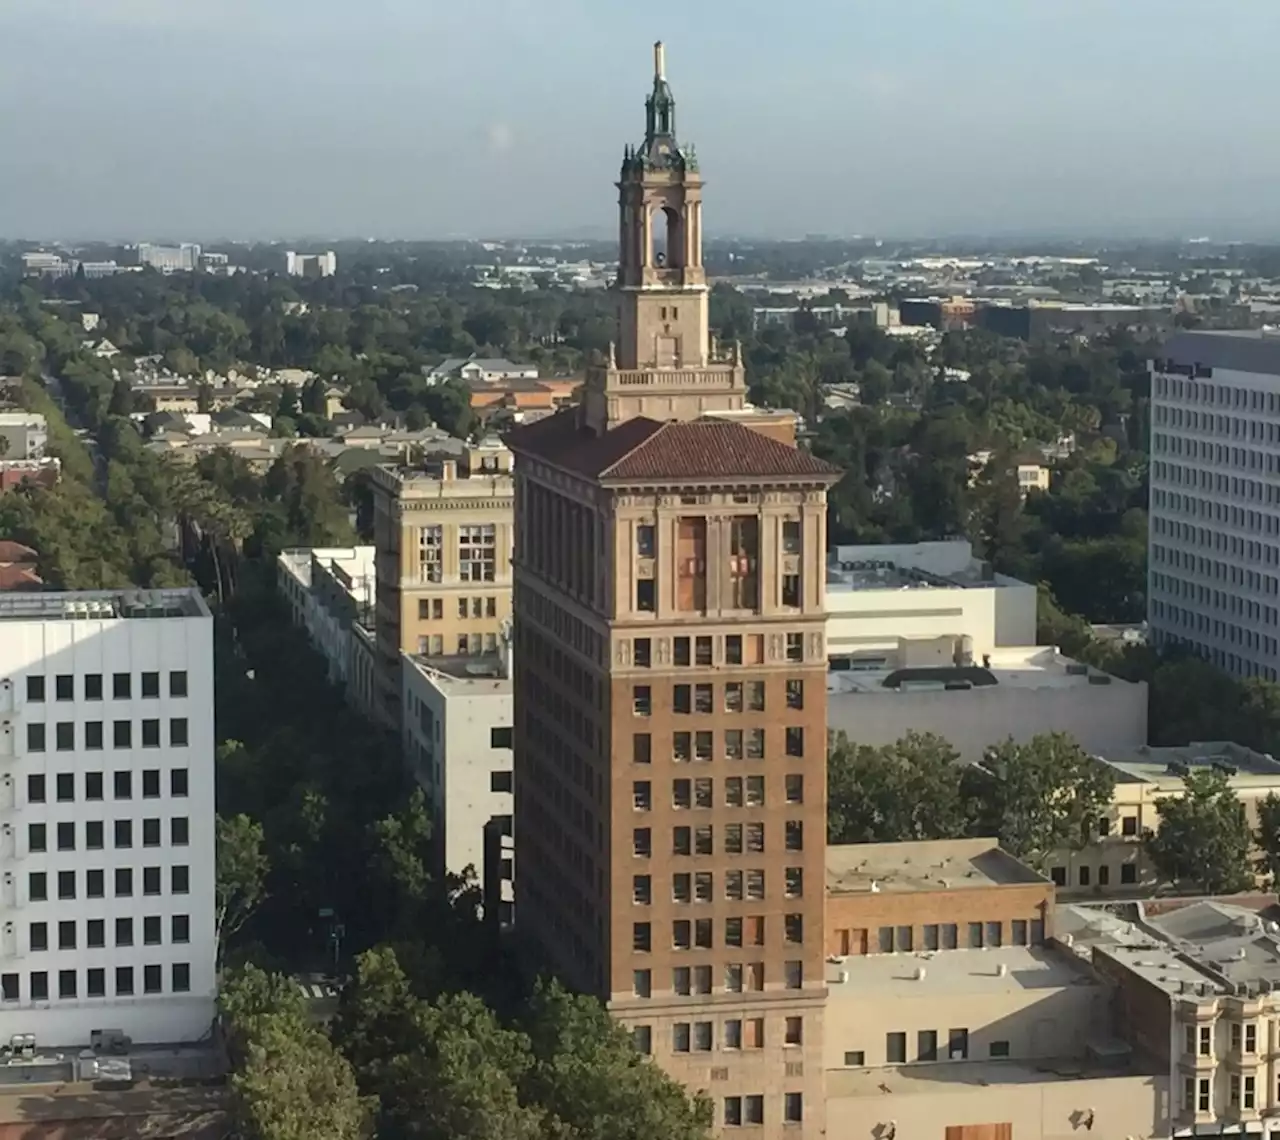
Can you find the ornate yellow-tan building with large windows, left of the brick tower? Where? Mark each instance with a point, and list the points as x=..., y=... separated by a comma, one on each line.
x=444, y=535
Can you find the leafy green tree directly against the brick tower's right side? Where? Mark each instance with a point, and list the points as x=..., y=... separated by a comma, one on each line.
x=909, y=790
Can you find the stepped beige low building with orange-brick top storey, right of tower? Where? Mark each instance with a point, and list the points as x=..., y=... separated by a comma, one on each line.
x=954, y=1014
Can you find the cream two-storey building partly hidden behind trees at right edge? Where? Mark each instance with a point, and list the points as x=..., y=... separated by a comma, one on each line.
x=1116, y=863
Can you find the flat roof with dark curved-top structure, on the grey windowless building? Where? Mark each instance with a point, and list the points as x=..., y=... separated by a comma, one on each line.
x=1014, y=667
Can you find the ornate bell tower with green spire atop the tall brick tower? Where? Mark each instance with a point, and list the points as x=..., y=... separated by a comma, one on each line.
x=665, y=363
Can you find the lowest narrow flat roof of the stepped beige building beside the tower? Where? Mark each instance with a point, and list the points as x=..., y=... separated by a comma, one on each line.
x=984, y=1077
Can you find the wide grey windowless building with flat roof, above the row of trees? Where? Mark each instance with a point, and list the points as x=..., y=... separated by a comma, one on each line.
x=1018, y=692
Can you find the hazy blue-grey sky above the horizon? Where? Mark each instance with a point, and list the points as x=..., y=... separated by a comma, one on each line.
x=436, y=118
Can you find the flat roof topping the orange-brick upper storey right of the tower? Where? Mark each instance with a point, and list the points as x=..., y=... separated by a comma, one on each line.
x=924, y=866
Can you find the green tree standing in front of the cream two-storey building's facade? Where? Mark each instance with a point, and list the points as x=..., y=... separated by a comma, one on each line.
x=1204, y=840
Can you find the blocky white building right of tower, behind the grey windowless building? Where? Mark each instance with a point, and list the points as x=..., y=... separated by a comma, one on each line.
x=883, y=596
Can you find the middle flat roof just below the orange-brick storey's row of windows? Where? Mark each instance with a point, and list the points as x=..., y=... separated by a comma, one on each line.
x=1012, y=969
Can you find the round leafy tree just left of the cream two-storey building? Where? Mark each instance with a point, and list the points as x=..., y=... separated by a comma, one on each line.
x=1041, y=796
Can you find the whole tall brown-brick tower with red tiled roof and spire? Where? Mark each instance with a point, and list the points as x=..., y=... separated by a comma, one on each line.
x=670, y=683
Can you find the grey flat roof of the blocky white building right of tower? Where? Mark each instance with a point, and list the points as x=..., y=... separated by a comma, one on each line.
x=921, y=566
